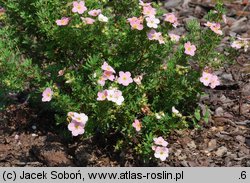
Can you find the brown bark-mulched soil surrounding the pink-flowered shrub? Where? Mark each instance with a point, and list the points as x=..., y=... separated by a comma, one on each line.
x=28, y=138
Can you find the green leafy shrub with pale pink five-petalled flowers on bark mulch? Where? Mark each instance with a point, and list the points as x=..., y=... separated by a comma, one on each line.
x=118, y=62
